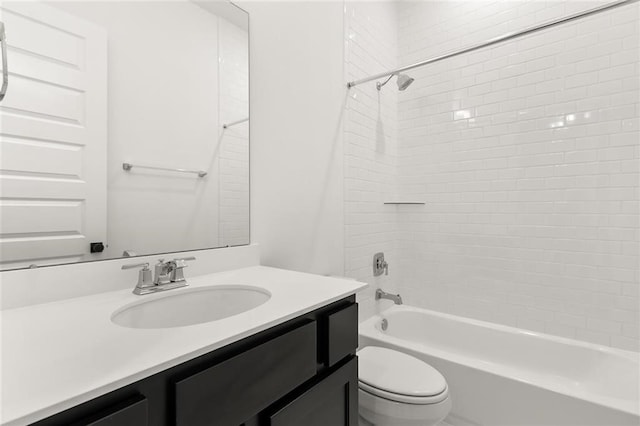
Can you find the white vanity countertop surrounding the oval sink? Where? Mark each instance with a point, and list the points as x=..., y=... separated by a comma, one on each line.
x=60, y=354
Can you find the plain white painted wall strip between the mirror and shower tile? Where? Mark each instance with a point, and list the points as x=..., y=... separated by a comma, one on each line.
x=297, y=98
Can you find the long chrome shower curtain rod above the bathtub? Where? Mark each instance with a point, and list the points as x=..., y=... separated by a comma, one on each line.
x=497, y=40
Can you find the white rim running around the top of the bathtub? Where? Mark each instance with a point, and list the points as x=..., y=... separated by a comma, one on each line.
x=369, y=330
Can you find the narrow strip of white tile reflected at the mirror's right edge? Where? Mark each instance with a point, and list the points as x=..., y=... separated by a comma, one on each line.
x=234, y=141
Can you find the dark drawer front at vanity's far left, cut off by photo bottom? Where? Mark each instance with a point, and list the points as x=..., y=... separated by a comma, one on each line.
x=131, y=412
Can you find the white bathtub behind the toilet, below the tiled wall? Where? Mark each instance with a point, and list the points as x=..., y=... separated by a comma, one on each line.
x=501, y=375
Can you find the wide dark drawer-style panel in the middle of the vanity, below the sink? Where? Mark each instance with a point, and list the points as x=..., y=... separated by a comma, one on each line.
x=236, y=389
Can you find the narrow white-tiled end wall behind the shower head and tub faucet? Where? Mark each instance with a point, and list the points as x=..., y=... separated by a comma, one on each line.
x=370, y=147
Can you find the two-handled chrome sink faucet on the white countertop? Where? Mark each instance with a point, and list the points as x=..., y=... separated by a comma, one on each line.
x=168, y=275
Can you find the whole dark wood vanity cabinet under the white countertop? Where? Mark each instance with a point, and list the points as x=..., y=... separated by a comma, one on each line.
x=303, y=372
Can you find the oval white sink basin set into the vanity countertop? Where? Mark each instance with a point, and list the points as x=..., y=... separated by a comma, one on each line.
x=190, y=306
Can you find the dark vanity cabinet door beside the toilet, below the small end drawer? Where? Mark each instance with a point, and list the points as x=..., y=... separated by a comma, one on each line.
x=333, y=401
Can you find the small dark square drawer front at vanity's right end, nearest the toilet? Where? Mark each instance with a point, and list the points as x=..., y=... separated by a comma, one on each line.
x=342, y=333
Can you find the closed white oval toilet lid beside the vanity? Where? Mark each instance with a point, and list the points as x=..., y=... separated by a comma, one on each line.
x=398, y=373
